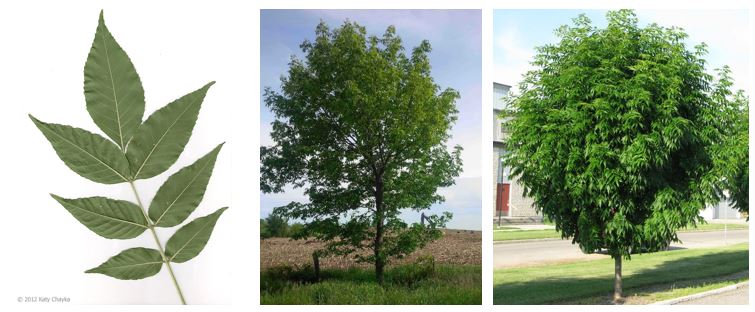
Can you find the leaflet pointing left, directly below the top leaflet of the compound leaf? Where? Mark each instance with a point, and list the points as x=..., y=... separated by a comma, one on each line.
x=86, y=153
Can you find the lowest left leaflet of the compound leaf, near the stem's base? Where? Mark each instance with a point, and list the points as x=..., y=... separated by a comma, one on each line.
x=131, y=264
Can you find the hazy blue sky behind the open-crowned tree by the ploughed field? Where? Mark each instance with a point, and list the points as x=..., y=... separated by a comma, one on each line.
x=456, y=62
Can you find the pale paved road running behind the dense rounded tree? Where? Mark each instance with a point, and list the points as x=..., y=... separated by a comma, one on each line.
x=554, y=251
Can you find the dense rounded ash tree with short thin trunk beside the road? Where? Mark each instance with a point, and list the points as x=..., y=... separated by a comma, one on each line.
x=616, y=134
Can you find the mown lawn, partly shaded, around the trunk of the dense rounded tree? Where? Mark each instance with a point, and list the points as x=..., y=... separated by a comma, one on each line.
x=590, y=281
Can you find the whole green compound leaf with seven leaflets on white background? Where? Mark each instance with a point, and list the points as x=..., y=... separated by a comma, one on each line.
x=115, y=101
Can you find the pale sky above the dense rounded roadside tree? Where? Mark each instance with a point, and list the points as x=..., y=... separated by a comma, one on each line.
x=517, y=32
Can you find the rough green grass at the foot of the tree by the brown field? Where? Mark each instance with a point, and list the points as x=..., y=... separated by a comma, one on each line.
x=445, y=284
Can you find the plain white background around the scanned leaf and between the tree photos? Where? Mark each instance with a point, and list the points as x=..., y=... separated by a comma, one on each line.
x=176, y=46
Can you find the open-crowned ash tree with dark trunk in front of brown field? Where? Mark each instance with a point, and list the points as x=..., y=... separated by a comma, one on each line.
x=362, y=127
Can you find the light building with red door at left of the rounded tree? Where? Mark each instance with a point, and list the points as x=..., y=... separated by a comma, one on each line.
x=510, y=204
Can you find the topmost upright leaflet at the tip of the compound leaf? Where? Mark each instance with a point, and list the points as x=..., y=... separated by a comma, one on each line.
x=113, y=91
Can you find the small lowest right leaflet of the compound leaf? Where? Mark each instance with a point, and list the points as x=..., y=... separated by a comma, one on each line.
x=190, y=239
